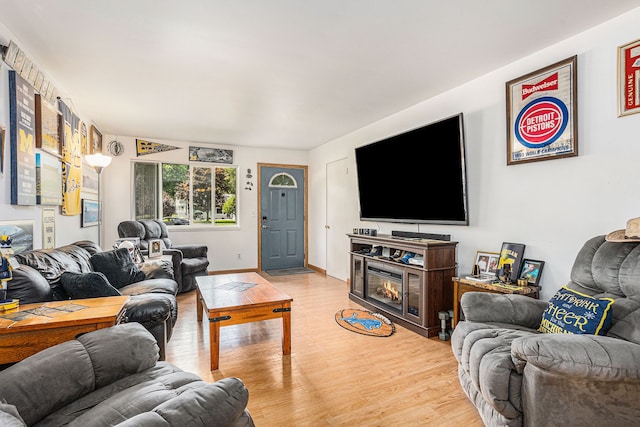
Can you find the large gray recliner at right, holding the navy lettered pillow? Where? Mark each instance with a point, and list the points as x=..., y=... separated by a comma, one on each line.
x=517, y=376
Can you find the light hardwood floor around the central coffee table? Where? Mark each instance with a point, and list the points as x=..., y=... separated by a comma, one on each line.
x=333, y=377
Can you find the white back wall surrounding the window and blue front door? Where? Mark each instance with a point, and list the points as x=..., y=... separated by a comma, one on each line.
x=224, y=243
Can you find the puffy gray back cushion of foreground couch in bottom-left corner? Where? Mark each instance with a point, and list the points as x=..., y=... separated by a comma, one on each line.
x=59, y=375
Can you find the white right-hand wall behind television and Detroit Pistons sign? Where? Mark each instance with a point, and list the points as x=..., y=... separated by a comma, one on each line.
x=551, y=206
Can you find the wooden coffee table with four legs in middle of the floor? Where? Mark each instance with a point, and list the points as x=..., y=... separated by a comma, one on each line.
x=230, y=299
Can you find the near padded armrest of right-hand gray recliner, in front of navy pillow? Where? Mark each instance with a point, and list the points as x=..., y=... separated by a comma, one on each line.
x=584, y=356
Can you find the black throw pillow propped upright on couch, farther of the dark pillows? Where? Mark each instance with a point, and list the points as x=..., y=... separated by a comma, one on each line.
x=118, y=266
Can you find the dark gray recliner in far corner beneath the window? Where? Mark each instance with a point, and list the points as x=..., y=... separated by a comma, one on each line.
x=189, y=261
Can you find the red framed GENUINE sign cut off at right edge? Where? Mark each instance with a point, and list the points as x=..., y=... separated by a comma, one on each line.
x=629, y=78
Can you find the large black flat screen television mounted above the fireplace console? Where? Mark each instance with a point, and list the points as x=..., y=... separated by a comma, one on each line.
x=418, y=176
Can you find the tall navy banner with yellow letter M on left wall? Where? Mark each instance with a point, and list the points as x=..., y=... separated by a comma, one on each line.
x=23, y=158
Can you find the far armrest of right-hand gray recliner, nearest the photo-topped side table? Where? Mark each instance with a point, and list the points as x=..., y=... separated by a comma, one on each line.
x=502, y=308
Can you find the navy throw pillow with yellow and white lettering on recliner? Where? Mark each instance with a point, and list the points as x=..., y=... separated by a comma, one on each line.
x=571, y=312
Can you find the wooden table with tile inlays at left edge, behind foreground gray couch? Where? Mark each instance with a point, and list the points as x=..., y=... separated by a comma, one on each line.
x=33, y=327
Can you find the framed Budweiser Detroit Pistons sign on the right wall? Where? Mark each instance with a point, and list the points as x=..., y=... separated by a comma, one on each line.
x=542, y=121
